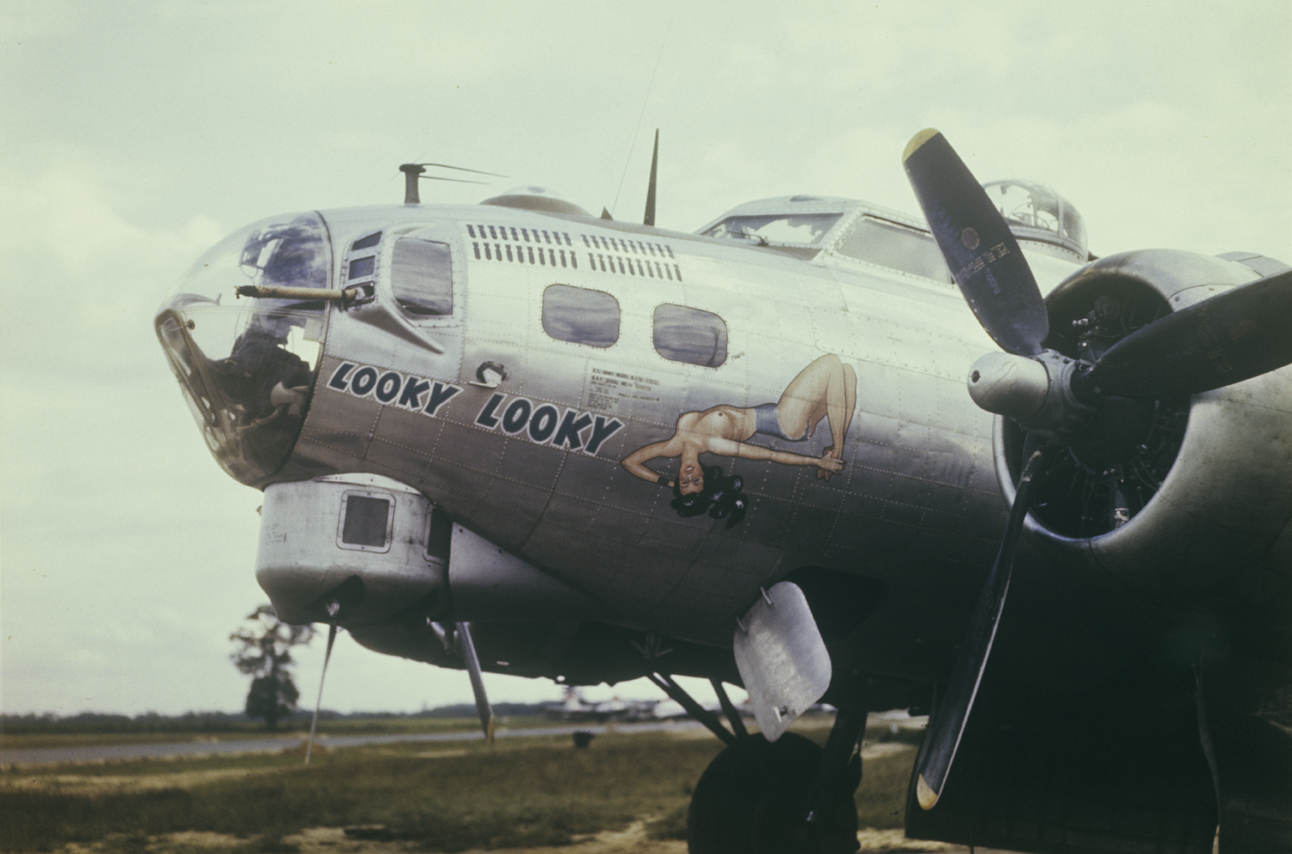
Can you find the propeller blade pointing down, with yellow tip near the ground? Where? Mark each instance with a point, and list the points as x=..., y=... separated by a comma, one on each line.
x=943, y=740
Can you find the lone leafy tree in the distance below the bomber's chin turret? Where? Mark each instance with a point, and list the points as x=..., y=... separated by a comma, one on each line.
x=266, y=654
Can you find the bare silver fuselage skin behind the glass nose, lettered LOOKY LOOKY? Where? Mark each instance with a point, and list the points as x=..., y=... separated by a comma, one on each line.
x=917, y=507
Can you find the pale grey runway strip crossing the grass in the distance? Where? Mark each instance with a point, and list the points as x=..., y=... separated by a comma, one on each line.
x=118, y=753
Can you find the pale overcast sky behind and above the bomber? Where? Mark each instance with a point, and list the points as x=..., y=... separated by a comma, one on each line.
x=136, y=135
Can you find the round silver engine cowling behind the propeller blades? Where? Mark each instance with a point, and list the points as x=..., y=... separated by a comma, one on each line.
x=1200, y=489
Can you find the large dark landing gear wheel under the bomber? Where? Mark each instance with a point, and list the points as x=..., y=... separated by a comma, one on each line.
x=755, y=798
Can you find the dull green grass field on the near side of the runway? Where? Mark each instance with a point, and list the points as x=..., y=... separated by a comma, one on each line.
x=520, y=793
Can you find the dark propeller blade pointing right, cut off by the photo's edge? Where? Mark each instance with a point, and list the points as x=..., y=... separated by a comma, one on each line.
x=1231, y=338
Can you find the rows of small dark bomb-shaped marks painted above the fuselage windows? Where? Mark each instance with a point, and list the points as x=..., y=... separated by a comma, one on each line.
x=547, y=249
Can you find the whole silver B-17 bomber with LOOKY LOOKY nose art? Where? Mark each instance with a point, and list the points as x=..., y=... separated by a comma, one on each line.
x=807, y=450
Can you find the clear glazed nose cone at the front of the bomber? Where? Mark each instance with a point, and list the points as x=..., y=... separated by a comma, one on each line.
x=245, y=365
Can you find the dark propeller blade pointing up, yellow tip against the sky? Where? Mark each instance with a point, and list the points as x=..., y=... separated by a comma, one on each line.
x=979, y=246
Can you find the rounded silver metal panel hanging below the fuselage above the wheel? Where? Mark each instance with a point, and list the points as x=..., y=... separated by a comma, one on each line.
x=782, y=658
